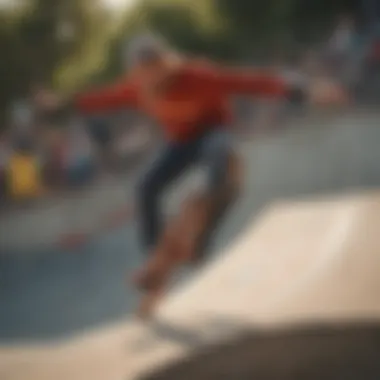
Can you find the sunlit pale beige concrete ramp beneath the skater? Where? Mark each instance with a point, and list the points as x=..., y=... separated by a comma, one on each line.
x=300, y=263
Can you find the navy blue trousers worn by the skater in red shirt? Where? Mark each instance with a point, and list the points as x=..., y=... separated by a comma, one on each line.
x=211, y=150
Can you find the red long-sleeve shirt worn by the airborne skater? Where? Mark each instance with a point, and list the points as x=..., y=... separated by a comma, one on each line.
x=196, y=99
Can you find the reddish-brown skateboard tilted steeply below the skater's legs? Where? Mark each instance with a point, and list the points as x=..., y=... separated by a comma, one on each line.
x=186, y=239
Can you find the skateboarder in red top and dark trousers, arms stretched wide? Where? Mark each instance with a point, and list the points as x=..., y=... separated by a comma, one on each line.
x=190, y=100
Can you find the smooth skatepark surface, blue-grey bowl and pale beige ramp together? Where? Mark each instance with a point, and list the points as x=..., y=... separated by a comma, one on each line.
x=300, y=249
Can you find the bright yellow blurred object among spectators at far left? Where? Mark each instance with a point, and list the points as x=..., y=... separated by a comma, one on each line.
x=24, y=178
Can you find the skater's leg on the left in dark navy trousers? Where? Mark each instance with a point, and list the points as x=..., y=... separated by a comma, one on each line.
x=164, y=169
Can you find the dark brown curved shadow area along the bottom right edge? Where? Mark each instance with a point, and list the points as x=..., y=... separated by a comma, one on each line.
x=329, y=352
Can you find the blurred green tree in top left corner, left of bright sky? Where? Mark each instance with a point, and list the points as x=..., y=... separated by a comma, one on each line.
x=58, y=42
